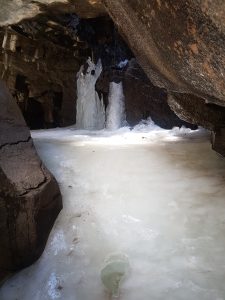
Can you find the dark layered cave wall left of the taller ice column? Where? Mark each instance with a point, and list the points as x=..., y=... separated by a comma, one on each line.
x=40, y=72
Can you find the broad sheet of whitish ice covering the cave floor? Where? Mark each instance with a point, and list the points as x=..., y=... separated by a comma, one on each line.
x=156, y=196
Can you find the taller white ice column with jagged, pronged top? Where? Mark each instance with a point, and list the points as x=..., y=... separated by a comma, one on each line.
x=90, y=109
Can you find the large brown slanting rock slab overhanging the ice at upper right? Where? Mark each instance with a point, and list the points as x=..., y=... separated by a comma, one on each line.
x=180, y=45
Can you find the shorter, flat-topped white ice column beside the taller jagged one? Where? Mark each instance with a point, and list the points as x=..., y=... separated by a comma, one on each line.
x=116, y=108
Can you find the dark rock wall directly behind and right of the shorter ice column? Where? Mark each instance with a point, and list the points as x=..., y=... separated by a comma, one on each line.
x=142, y=98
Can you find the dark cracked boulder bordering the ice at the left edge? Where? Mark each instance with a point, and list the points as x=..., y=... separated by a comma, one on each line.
x=30, y=199
